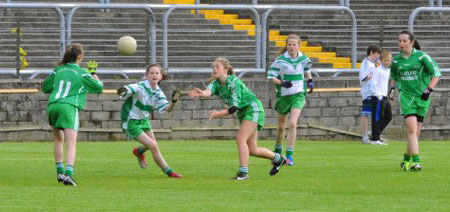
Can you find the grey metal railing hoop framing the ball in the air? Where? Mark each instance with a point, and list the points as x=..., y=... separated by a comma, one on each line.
x=152, y=21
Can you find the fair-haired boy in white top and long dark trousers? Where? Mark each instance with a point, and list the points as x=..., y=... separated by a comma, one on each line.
x=381, y=108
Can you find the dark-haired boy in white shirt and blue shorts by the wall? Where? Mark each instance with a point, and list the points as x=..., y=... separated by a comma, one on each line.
x=368, y=65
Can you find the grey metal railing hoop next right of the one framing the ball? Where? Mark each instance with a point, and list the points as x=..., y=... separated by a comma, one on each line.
x=256, y=19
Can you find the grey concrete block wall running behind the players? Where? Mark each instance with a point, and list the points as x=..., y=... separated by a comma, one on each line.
x=23, y=116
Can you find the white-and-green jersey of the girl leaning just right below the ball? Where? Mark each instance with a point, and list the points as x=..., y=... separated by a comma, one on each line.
x=140, y=101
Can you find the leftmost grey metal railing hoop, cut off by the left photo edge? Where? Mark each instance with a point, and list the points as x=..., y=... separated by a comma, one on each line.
x=44, y=6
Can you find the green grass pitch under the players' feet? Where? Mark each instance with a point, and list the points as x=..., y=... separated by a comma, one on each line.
x=327, y=176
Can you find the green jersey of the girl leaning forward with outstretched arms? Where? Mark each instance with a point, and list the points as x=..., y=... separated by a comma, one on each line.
x=233, y=92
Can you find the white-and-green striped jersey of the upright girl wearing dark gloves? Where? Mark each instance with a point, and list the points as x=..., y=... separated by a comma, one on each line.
x=290, y=69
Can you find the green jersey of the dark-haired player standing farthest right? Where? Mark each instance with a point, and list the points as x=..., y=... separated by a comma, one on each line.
x=413, y=75
